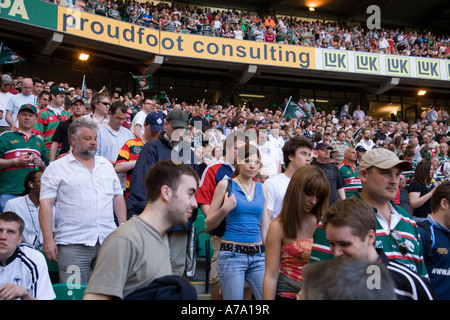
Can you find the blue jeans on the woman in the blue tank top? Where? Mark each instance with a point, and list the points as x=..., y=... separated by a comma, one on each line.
x=236, y=268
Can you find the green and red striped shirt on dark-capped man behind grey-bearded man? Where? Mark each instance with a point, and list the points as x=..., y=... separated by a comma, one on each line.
x=46, y=124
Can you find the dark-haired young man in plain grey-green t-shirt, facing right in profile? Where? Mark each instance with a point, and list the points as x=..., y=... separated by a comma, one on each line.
x=136, y=254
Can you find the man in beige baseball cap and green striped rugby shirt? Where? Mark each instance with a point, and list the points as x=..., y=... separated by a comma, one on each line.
x=397, y=232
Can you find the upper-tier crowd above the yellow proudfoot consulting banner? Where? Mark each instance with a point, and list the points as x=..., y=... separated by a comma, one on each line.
x=269, y=28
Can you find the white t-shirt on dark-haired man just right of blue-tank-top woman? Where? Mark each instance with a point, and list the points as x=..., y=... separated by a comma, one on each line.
x=276, y=190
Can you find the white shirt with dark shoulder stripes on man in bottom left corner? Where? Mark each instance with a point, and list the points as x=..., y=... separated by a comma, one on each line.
x=28, y=268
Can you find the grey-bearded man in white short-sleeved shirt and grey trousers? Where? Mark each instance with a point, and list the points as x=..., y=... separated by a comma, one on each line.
x=85, y=192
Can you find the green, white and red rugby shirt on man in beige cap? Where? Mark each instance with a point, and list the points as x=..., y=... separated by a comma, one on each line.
x=406, y=228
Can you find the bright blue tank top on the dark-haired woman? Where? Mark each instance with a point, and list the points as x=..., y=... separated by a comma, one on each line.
x=243, y=222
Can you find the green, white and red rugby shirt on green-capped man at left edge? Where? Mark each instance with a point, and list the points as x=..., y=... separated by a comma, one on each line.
x=14, y=144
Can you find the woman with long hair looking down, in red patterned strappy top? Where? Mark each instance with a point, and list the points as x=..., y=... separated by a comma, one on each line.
x=290, y=236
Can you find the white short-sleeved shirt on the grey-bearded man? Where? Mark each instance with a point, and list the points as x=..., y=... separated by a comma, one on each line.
x=84, y=201
